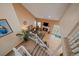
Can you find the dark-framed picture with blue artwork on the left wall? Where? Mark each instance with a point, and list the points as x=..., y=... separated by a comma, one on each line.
x=5, y=28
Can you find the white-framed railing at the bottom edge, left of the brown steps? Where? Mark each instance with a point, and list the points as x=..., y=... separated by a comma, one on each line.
x=21, y=51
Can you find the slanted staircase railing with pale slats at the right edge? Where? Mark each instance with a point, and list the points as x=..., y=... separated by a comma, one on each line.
x=73, y=41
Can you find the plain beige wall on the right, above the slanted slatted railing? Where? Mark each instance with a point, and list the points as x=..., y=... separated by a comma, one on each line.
x=70, y=18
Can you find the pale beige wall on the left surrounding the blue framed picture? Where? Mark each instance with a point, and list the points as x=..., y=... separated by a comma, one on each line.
x=9, y=41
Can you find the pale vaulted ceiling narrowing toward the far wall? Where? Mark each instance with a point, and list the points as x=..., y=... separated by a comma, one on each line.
x=47, y=10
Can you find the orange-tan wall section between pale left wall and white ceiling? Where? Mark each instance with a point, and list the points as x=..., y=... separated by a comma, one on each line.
x=24, y=15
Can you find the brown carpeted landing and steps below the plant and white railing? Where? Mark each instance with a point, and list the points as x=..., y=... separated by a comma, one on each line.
x=33, y=49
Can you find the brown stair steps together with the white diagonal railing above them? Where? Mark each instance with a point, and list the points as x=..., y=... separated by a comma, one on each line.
x=40, y=48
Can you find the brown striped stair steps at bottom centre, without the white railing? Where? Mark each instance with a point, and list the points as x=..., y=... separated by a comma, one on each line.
x=39, y=51
